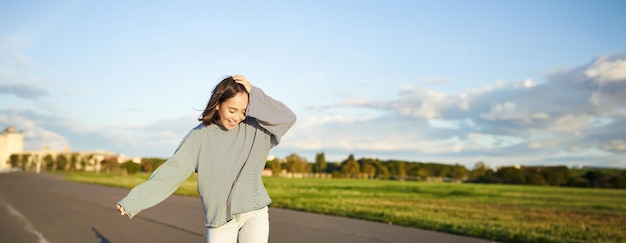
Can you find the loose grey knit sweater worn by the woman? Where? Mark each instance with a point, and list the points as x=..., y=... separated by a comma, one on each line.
x=228, y=162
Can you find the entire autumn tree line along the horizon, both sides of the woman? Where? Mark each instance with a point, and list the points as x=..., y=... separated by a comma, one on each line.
x=364, y=168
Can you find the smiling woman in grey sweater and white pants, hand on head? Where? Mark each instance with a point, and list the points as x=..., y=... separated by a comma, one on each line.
x=228, y=150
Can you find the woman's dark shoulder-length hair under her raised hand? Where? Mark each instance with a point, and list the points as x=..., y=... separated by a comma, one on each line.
x=224, y=90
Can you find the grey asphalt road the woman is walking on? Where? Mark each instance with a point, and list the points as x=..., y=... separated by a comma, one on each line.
x=45, y=208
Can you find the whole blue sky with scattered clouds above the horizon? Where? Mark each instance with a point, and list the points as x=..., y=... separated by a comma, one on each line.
x=452, y=82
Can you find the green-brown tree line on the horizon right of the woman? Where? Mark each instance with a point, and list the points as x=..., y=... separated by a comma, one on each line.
x=368, y=168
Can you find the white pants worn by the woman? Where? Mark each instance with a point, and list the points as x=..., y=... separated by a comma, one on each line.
x=249, y=227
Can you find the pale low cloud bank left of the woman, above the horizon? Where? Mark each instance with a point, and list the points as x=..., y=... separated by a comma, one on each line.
x=157, y=138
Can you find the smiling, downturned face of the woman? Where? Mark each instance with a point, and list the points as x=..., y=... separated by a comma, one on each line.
x=233, y=111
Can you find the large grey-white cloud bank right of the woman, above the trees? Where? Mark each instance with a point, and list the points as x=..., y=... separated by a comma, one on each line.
x=555, y=121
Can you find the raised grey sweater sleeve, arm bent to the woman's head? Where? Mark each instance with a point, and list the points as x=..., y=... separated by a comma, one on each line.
x=271, y=114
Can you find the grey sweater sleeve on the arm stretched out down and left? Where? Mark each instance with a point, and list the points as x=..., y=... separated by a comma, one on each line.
x=165, y=179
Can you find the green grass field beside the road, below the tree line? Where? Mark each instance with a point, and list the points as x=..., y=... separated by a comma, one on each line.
x=506, y=213
